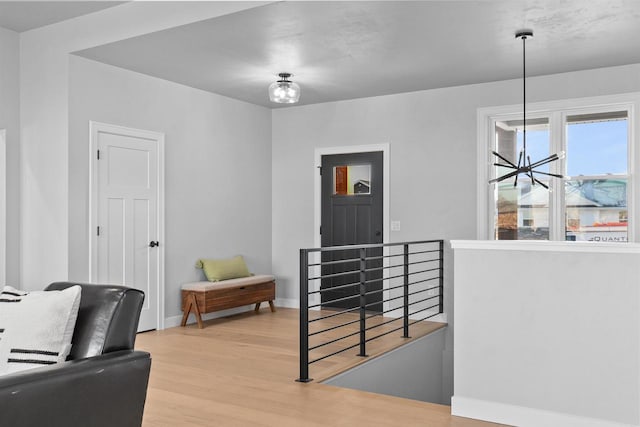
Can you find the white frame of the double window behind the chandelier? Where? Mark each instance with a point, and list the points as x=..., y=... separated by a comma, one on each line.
x=556, y=111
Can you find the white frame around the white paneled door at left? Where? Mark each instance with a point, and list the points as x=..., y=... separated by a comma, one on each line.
x=94, y=129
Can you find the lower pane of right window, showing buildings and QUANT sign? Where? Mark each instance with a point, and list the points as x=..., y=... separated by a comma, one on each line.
x=596, y=210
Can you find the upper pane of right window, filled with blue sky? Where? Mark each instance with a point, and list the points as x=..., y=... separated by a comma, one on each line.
x=597, y=144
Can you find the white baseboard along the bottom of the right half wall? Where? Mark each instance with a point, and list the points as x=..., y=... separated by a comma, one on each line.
x=522, y=416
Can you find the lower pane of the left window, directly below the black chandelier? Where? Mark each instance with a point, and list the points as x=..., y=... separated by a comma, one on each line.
x=522, y=212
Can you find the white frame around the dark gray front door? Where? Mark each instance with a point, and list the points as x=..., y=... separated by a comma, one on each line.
x=317, y=190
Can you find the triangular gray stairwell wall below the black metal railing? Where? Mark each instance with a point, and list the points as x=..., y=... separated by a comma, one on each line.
x=413, y=371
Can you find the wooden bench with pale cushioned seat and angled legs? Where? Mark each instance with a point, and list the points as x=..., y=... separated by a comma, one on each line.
x=207, y=297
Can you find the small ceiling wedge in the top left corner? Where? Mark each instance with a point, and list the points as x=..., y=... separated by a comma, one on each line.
x=26, y=15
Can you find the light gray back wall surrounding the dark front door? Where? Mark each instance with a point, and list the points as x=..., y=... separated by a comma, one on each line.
x=433, y=139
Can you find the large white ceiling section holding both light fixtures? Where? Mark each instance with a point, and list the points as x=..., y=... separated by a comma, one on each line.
x=345, y=50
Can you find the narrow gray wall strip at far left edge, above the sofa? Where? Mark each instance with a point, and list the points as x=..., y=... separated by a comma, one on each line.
x=10, y=120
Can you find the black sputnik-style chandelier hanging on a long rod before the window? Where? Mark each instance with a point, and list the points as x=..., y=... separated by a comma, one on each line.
x=524, y=166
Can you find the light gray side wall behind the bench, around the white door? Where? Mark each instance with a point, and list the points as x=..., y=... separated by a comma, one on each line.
x=217, y=168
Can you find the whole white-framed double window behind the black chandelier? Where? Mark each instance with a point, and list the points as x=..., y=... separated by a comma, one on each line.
x=591, y=203
